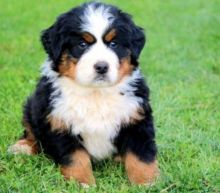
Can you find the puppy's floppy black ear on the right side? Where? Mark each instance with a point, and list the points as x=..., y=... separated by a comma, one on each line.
x=137, y=40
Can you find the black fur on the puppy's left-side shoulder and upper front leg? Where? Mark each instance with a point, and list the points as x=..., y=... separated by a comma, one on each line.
x=36, y=110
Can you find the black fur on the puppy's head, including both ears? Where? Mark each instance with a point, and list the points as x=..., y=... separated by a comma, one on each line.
x=65, y=35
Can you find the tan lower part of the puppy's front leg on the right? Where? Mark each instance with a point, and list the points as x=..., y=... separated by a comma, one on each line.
x=140, y=172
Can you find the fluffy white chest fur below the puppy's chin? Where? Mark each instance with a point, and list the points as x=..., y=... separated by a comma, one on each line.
x=95, y=114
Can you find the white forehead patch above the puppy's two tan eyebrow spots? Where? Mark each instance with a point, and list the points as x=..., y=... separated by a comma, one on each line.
x=96, y=20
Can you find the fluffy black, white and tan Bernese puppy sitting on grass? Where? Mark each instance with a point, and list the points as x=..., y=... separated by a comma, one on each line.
x=91, y=101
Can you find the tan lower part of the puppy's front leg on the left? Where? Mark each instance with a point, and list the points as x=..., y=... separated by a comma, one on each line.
x=79, y=169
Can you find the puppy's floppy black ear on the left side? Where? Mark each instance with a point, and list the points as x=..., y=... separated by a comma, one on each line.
x=52, y=43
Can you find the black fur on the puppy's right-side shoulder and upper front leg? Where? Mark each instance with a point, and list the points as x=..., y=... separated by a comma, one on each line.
x=139, y=137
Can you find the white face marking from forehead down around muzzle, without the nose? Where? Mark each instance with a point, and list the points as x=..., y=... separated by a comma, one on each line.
x=97, y=20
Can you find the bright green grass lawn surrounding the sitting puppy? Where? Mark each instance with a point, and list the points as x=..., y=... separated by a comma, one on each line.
x=182, y=65
